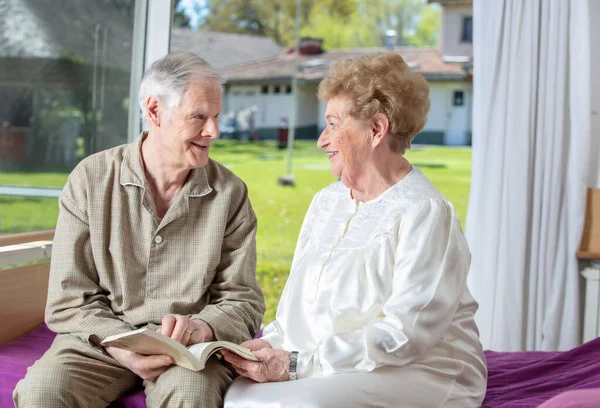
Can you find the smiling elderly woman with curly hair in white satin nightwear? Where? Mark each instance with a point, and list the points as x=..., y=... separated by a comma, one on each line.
x=376, y=311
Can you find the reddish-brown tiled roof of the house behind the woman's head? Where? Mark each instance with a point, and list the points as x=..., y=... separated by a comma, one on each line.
x=427, y=61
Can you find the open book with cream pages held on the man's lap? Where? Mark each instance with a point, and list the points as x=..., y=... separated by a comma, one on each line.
x=149, y=342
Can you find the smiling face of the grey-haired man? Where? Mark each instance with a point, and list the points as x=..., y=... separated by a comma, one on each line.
x=193, y=125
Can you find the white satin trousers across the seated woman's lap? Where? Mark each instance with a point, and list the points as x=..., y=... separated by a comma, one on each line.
x=394, y=387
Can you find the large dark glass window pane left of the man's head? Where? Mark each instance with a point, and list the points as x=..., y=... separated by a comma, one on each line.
x=62, y=100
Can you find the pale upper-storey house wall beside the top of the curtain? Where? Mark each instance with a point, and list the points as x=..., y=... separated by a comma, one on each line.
x=452, y=21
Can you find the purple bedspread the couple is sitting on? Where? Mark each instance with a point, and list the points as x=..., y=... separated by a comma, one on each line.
x=524, y=379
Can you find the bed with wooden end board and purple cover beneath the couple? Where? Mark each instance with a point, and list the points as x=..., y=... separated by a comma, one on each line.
x=521, y=379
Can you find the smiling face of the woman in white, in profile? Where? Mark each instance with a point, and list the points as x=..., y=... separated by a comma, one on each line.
x=345, y=140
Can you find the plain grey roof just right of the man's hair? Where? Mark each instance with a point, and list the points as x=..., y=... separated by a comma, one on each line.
x=223, y=50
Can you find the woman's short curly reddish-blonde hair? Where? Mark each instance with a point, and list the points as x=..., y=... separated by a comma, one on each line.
x=382, y=84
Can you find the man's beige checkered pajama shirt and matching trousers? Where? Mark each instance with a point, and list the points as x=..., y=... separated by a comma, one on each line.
x=116, y=267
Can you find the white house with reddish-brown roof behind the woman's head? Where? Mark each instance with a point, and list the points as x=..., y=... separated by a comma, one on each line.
x=266, y=83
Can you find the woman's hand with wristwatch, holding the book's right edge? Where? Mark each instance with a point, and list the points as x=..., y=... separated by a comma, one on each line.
x=274, y=364
